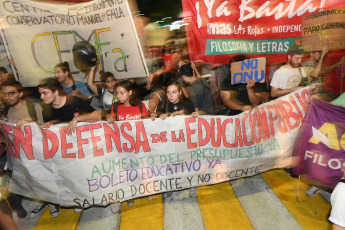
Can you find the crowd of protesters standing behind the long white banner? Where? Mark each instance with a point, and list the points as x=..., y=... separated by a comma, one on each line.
x=176, y=86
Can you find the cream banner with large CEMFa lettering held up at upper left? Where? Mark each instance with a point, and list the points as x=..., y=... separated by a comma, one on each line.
x=40, y=35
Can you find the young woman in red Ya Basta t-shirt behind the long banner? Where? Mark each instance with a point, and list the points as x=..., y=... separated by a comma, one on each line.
x=129, y=107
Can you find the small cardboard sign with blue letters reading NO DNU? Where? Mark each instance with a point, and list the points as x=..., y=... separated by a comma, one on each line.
x=250, y=69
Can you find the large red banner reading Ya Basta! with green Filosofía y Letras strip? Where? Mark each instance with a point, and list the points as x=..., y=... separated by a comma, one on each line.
x=220, y=29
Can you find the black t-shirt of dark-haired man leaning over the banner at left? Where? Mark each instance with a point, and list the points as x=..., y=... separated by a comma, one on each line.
x=73, y=106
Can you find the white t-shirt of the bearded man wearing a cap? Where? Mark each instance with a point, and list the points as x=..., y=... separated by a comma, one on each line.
x=286, y=78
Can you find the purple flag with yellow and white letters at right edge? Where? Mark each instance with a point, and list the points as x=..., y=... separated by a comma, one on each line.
x=320, y=144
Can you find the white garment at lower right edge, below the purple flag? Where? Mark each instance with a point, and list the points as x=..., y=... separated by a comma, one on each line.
x=338, y=205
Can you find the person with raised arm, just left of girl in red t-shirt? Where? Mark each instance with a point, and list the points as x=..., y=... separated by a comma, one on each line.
x=105, y=95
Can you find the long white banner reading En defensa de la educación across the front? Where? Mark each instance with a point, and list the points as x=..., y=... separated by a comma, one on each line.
x=103, y=163
